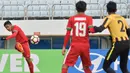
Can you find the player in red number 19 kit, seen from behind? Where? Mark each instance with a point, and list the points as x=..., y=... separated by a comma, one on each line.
x=81, y=25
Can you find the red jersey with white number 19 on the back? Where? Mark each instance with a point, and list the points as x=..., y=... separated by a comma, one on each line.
x=79, y=24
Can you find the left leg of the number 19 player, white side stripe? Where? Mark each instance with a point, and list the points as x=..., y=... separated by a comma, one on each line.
x=70, y=59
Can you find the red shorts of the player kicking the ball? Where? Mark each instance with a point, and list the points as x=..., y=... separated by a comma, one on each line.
x=26, y=49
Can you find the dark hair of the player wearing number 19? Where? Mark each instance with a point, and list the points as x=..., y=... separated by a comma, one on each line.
x=81, y=6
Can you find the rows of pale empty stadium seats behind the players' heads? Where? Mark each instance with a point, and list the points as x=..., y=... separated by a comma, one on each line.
x=56, y=8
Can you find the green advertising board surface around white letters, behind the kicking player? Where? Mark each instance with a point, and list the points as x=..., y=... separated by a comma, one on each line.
x=50, y=61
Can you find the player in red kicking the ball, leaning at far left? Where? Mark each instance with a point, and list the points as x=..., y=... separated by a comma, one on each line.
x=20, y=38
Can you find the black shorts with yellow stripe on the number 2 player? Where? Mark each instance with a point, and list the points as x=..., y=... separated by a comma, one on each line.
x=117, y=48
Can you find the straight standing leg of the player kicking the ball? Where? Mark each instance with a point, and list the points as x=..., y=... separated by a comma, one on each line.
x=26, y=54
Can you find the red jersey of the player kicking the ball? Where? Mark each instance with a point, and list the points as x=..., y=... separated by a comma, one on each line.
x=18, y=34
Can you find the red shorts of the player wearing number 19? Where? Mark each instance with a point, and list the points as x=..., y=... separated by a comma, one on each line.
x=75, y=51
